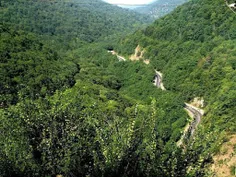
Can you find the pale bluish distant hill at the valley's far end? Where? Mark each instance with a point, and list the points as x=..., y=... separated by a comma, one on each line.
x=159, y=8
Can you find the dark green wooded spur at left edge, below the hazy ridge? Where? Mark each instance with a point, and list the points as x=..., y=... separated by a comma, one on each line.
x=30, y=67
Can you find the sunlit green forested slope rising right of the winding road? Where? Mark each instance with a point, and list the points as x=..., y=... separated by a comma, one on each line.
x=195, y=49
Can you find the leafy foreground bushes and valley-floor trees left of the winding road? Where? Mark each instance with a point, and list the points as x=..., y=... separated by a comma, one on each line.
x=94, y=128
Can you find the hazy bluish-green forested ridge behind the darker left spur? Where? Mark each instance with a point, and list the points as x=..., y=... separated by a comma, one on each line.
x=84, y=19
